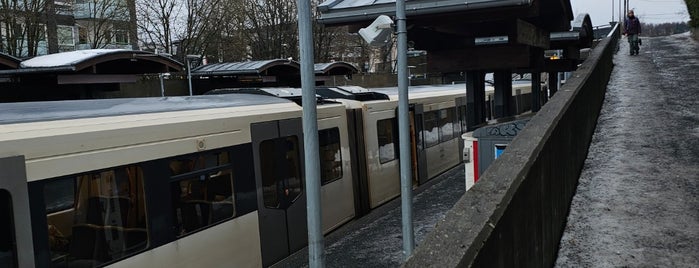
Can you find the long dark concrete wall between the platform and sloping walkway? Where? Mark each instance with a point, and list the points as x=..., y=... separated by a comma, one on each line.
x=515, y=214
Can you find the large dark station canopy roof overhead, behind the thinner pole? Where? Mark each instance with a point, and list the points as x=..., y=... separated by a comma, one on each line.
x=465, y=35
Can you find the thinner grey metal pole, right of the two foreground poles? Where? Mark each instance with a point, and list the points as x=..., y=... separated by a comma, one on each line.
x=403, y=135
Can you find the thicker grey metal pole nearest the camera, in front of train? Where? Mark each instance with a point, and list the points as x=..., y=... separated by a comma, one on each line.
x=316, y=256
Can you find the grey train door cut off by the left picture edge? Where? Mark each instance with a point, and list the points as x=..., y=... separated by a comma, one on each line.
x=16, y=248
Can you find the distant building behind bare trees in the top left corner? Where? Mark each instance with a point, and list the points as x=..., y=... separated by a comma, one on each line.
x=79, y=24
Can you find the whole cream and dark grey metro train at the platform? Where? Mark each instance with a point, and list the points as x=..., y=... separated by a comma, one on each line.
x=203, y=181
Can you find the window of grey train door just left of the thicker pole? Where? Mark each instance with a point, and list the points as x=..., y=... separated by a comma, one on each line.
x=280, y=171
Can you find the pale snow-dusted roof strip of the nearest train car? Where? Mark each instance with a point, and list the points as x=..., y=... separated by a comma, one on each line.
x=23, y=112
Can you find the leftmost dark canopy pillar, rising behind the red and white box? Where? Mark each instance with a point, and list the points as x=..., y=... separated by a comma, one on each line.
x=475, y=99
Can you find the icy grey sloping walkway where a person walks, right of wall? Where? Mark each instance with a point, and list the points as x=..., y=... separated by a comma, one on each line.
x=637, y=202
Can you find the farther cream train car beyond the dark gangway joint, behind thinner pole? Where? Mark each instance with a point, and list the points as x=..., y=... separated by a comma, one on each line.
x=437, y=119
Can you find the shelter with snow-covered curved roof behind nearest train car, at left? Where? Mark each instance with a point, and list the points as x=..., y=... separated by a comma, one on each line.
x=81, y=74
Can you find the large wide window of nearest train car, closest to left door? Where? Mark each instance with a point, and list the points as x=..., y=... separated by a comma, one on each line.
x=106, y=221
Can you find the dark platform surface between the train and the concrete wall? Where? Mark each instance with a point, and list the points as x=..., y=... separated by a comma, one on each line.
x=375, y=240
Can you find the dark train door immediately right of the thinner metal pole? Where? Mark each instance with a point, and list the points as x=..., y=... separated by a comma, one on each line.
x=418, y=156
